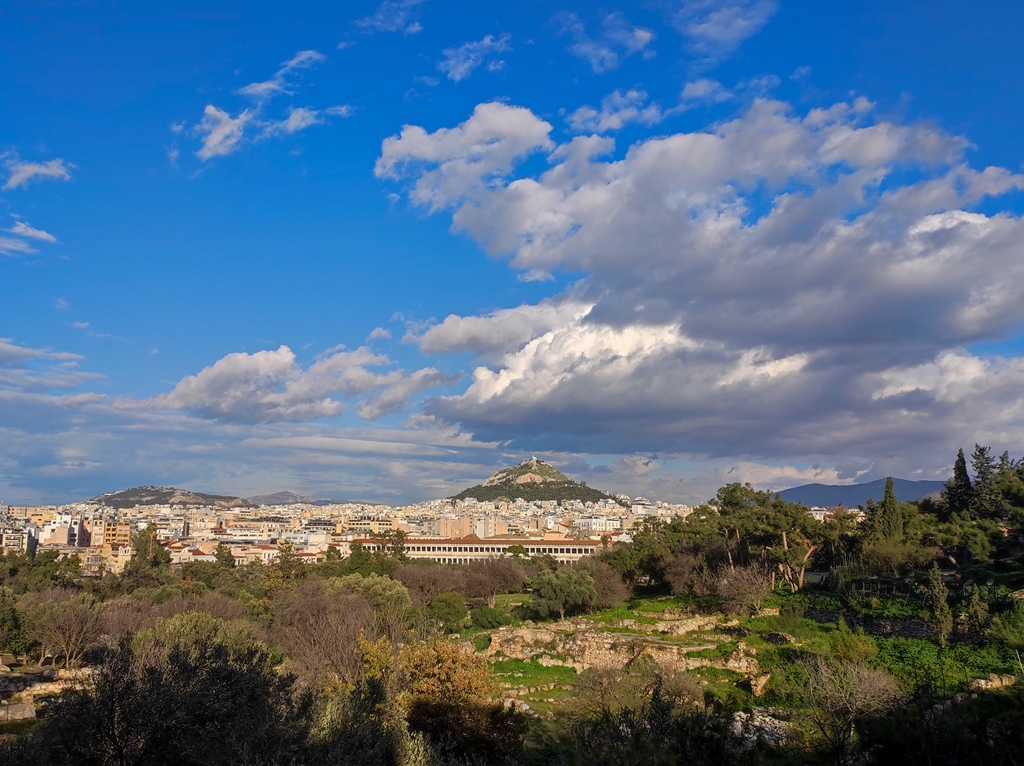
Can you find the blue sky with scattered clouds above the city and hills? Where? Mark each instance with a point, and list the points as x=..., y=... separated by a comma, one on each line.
x=379, y=250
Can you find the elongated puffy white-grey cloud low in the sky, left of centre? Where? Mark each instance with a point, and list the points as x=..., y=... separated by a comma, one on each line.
x=271, y=387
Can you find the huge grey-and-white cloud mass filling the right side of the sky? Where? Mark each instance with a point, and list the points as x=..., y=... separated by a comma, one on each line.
x=779, y=286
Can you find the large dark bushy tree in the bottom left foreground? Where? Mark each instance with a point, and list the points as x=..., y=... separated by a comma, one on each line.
x=190, y=697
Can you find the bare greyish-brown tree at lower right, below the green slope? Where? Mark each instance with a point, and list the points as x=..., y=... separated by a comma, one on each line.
x=836, y=696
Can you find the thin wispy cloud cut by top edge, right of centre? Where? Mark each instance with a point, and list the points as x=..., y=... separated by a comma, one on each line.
x=714, y=29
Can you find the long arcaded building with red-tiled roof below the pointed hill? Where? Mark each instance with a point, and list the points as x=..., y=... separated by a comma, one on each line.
x=467, y=550
